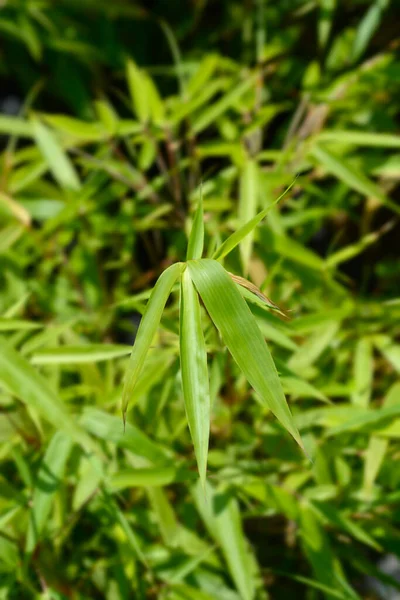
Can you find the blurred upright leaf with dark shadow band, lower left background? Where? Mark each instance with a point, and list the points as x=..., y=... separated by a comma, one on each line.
x=48, y=480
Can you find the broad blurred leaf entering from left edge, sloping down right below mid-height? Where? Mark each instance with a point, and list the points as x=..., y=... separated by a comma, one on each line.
x=21, y=380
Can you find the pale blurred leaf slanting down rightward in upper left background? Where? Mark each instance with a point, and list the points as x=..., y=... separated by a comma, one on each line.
x=58, y=162
